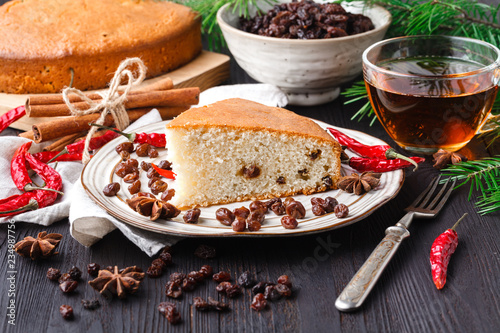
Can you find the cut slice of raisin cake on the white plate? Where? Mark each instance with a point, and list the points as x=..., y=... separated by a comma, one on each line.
x=236, y=150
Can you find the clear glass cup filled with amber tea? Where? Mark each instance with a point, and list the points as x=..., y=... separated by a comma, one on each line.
x=432, y=92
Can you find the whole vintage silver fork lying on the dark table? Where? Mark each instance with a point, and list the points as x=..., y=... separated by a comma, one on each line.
x=427, y=205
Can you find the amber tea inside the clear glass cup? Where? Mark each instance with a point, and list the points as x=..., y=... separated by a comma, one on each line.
x=445, y=115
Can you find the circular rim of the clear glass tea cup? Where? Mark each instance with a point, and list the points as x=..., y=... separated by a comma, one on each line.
x=488, y=68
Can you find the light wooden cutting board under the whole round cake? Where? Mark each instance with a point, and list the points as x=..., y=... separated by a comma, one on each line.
x=207, y=70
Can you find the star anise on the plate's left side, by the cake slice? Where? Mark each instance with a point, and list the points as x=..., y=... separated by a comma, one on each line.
x=152, y=207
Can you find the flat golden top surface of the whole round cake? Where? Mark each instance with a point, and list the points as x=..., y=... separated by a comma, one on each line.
x=33, y=29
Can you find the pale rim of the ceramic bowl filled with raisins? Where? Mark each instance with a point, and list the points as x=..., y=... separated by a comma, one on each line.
x=224, y=25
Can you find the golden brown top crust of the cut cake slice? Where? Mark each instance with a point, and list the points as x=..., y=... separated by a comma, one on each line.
x=236, y=113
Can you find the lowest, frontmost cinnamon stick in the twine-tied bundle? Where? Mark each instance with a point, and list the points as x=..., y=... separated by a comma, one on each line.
x=68, y=125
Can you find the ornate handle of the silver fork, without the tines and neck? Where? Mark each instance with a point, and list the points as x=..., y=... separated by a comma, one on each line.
x=356, y=291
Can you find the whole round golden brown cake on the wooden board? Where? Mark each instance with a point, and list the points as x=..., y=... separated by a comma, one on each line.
x=44, y=41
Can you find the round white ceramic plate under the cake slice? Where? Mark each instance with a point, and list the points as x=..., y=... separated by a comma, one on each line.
x=100, y=171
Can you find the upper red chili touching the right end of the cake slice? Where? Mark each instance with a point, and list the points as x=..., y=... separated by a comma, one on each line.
x=378, y=151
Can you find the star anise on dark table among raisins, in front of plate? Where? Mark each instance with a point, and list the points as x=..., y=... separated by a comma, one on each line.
x=117, y=282
